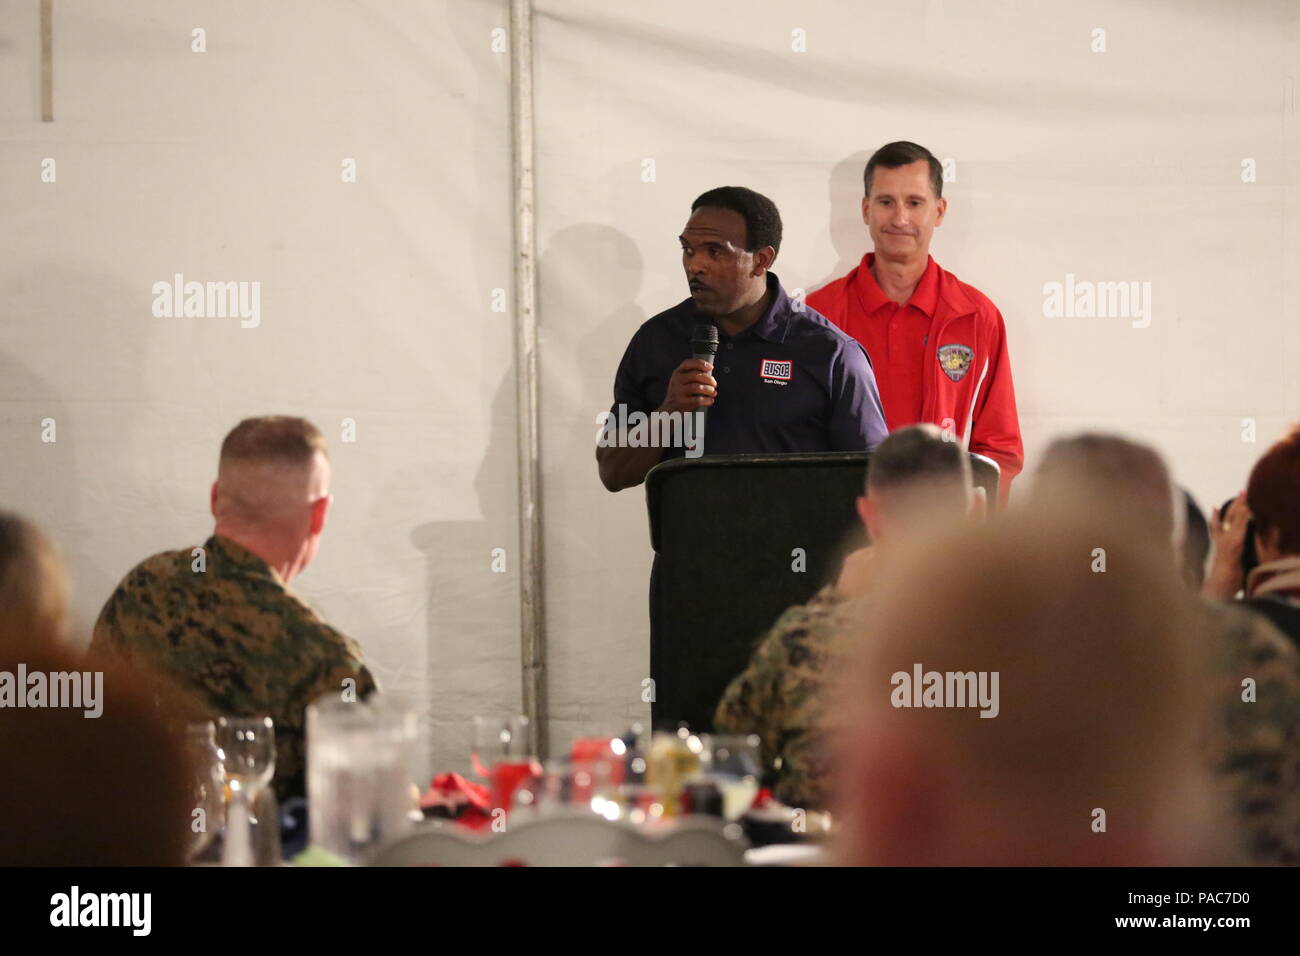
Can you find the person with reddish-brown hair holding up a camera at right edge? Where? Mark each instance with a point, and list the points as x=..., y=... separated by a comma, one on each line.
x=1272, y=499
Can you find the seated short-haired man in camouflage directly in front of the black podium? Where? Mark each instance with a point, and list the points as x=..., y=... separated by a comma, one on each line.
x=915, y=479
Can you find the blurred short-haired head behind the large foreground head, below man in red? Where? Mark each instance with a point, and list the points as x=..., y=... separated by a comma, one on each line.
x=1124, y=481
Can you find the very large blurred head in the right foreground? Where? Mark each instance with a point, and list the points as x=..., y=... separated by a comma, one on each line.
x=1085, y=749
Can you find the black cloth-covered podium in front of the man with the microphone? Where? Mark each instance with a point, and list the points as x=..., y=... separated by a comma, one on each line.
x=730, y=534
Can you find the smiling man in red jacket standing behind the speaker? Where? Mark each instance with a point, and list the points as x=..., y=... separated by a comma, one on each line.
x=938, y=345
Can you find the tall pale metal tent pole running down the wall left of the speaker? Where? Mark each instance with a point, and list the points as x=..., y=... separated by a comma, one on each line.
x=531, y=578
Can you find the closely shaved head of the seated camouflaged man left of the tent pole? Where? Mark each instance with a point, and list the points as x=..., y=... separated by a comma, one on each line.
x=274, y=481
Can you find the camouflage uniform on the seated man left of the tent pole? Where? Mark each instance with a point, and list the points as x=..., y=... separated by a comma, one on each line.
x=235, y=641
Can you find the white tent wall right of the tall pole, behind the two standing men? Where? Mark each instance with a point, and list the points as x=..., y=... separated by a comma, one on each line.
x=1117, y=166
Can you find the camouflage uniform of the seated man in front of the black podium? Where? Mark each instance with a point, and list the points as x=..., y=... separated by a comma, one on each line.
x=781, y=697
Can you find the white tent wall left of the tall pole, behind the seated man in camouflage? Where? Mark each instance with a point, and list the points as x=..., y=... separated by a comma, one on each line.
x=376, y=306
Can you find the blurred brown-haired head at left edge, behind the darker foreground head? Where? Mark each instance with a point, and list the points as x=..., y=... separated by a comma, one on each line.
x=33, y=585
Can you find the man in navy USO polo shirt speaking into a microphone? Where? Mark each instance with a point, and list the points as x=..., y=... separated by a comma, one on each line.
x=785, y=378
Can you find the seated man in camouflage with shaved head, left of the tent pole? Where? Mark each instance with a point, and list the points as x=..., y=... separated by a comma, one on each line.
x=220, y=621
